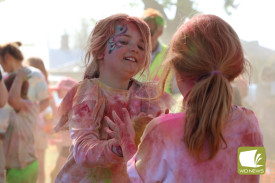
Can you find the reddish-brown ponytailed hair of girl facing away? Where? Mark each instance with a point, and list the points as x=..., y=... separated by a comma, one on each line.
x=207, y=50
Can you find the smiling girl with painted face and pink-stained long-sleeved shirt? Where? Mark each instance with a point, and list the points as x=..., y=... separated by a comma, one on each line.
x=119, y=48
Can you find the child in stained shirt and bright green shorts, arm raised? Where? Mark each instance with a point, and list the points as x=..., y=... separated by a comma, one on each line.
x=19, y=145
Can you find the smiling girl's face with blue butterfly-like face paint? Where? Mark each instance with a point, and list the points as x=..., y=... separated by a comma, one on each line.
x=124, y=54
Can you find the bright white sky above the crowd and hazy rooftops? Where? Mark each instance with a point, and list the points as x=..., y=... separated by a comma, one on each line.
x=39, y=24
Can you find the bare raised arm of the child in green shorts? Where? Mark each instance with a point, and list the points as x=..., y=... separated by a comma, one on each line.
x=15, y=99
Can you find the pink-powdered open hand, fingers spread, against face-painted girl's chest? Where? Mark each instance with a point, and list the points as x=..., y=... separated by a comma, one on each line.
x=122, y=130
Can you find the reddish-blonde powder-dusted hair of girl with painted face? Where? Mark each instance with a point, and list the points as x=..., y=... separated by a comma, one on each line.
x=103, y=31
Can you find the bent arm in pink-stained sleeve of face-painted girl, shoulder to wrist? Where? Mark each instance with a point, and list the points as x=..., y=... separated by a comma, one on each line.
x=85, y=121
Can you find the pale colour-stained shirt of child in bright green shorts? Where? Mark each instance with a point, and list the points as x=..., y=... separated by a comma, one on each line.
x=19, y=145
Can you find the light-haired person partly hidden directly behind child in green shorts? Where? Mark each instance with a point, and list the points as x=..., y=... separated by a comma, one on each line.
x=44, y=125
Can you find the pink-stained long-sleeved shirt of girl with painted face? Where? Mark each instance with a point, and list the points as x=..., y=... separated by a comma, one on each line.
x=91, y=158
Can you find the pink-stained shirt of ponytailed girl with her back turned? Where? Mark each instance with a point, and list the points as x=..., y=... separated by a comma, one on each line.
x=163, y=157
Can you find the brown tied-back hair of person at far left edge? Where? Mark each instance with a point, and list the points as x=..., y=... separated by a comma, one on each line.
x=12, y=49
